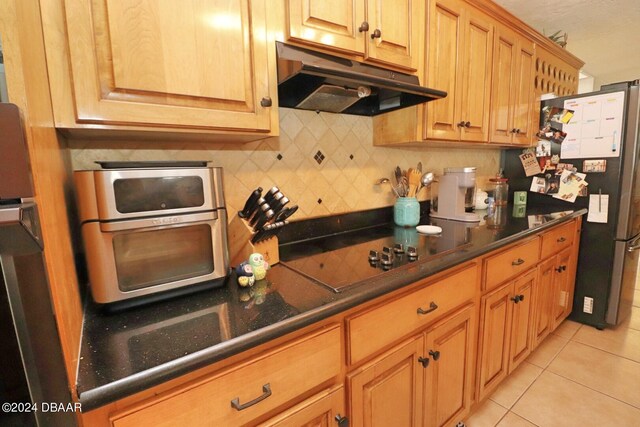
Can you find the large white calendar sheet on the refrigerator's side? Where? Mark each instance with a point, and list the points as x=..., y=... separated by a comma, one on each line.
x=596, y=128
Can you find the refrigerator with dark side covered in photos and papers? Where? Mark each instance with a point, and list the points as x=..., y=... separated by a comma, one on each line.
x=608, y=260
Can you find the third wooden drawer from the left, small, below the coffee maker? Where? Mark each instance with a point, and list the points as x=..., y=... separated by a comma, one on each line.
x=508, y=263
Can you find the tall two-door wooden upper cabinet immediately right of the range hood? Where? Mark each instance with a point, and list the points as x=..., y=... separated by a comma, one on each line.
x=459, y=62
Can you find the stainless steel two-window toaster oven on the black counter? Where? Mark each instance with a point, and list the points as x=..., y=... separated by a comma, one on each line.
x=149, y=230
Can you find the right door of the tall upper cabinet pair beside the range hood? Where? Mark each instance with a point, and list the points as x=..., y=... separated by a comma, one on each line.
x=476, y=67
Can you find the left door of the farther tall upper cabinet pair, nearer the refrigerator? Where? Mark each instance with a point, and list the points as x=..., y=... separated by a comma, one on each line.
x=503, y=85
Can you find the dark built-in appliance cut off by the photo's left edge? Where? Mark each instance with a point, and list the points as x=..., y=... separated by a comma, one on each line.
x=32, y=370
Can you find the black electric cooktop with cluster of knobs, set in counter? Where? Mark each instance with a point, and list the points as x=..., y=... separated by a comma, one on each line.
x=352, y=258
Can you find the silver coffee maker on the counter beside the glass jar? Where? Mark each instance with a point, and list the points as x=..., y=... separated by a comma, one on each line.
x=455, y=192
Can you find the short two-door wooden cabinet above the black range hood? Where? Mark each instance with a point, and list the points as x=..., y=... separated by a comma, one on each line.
x=387, y=32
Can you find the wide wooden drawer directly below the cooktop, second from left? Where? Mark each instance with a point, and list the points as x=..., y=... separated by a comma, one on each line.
x=372, y=330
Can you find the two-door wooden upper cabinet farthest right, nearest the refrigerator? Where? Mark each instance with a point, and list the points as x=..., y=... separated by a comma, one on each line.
x=512, y=94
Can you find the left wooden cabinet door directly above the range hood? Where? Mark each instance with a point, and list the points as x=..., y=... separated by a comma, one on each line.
x=331, y=23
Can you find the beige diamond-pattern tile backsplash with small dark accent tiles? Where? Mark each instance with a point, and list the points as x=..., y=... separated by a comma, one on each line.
x=325, y=163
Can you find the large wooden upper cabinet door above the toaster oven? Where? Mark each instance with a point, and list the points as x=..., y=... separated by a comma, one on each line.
x=189, y=64
